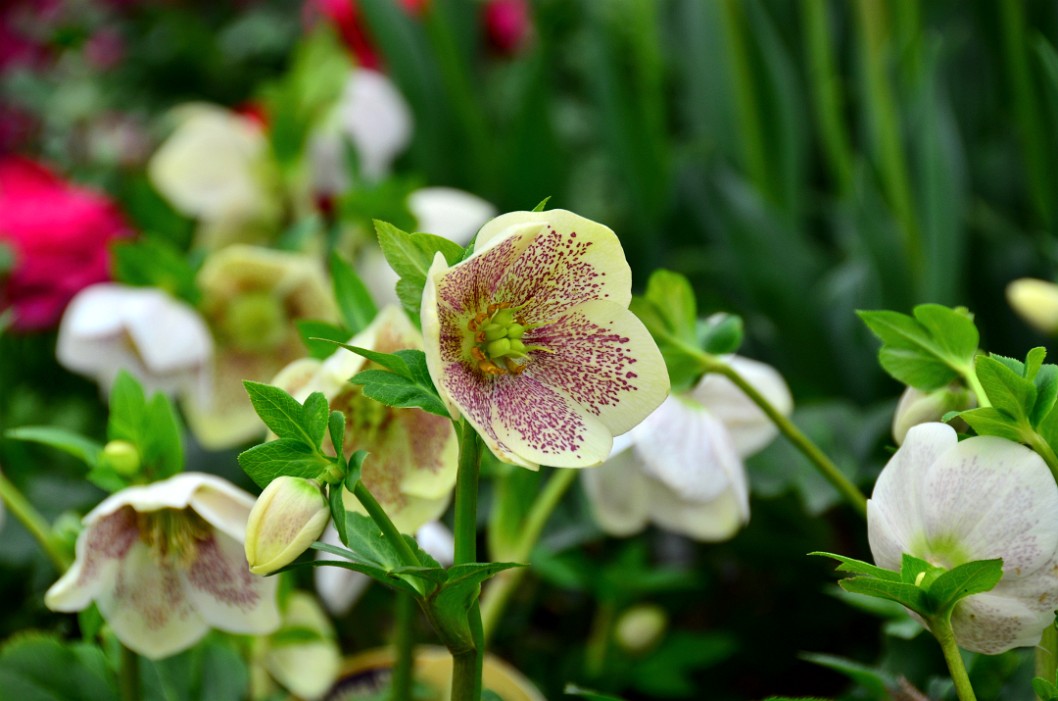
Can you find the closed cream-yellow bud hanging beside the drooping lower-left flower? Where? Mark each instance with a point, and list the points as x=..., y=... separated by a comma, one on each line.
x=289, y=516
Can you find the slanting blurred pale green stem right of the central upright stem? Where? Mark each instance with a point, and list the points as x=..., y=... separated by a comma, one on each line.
x=500, y=591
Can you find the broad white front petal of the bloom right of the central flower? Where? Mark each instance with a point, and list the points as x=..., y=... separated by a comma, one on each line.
x=684, y=447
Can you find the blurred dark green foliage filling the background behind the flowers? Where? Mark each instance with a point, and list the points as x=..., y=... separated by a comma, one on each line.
x=797, y=160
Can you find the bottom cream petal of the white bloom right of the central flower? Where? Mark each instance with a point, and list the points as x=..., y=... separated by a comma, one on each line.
x=710, y=522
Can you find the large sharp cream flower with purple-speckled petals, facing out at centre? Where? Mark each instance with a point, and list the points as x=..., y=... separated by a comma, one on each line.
x=532, y=341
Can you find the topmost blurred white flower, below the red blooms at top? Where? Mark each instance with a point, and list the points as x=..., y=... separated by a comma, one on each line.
x=374, y=117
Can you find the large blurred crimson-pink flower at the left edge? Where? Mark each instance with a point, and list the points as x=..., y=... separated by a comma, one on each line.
x=59, y=235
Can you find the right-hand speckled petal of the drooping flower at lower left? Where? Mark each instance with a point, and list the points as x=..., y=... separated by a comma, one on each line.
x=226, y=595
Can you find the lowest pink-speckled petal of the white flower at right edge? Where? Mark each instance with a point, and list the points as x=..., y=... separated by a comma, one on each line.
x=992, y=624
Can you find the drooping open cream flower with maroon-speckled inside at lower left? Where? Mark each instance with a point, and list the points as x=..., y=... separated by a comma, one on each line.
x=165, y=564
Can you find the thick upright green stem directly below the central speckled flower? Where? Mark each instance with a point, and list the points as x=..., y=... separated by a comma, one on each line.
x=467, y=663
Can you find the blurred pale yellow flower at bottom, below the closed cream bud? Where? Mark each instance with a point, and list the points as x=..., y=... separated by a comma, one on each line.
x=306, y=662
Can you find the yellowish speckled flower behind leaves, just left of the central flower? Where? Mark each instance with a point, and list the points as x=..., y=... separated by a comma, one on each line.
x=414, y=455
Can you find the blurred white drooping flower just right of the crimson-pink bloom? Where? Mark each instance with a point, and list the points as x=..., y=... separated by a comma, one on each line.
x=161, y=341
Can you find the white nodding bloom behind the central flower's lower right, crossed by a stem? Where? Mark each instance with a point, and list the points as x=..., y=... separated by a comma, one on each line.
x=682, y=468
